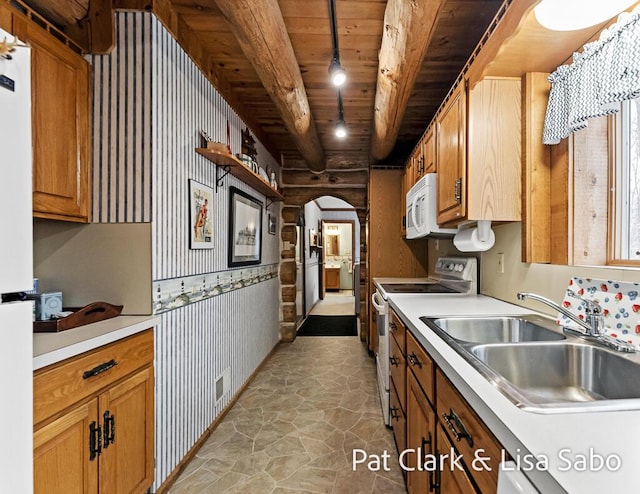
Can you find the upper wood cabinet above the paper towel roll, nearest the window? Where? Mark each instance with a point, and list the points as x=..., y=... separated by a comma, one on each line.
x=478, y=151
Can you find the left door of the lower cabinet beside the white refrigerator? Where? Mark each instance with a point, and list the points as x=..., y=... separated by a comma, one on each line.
x=61, y=453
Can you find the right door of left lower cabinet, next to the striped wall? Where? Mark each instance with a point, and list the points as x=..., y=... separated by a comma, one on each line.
x=126, y=411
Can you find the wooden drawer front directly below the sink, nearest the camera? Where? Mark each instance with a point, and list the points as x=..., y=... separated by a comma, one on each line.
x=458, y=418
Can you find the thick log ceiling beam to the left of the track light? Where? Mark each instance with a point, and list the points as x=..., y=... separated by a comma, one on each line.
x=261, y=32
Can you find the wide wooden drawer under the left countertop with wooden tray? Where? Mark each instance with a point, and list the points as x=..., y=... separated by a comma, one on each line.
x=61, y=385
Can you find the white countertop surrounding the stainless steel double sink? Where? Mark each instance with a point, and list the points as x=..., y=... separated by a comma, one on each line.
x=519, y=431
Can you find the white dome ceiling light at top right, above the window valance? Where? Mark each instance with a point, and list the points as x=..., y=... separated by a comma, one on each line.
x=570, y=15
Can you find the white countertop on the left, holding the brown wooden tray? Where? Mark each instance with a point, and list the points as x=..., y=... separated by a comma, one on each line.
x=50, y=348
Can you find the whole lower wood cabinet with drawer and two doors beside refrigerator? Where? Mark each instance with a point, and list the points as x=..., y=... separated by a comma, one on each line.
x=94, y=420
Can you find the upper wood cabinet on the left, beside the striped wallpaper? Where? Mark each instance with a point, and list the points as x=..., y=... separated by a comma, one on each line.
x=60, y=92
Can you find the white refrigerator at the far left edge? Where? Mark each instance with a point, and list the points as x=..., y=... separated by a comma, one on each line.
x=16, y=271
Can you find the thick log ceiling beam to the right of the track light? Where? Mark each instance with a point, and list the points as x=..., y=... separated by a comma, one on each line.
x=408, y=29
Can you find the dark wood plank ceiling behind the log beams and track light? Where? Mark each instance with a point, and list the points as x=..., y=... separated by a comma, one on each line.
x=211, y=40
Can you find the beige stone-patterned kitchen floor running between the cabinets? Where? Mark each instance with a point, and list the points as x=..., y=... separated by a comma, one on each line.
x=295, y=427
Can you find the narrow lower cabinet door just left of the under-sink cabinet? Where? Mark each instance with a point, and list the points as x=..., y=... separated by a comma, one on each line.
x=421, y=423
